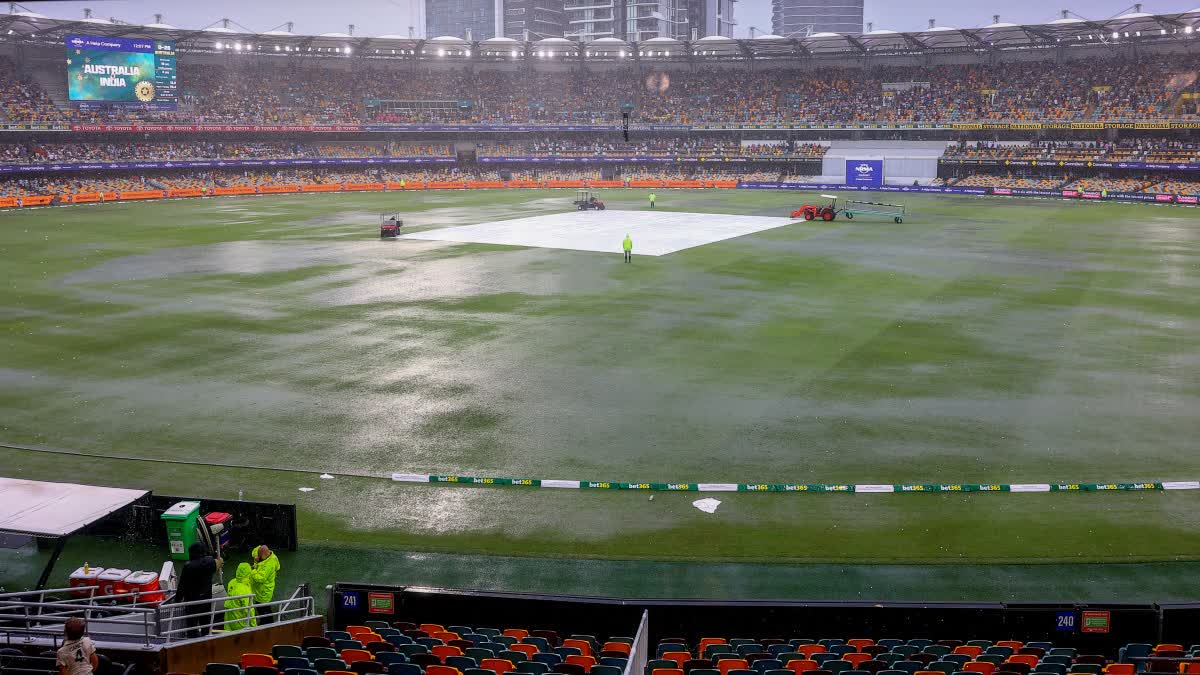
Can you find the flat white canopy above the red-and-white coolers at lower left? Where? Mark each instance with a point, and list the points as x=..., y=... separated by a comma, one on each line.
x=56, y=510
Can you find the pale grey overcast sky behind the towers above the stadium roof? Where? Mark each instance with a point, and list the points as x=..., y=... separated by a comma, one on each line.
x=380, y=17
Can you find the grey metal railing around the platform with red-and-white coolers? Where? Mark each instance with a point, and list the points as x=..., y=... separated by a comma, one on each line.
x=29, y=618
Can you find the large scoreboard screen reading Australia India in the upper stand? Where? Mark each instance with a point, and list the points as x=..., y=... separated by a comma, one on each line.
x=116, y=71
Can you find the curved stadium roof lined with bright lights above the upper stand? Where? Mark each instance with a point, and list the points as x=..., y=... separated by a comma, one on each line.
x=1066, y=32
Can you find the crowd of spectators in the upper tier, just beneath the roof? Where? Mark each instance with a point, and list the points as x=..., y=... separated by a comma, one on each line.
x=267, y=92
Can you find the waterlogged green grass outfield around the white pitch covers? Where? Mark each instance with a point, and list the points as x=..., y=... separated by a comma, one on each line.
x=982, y=341
